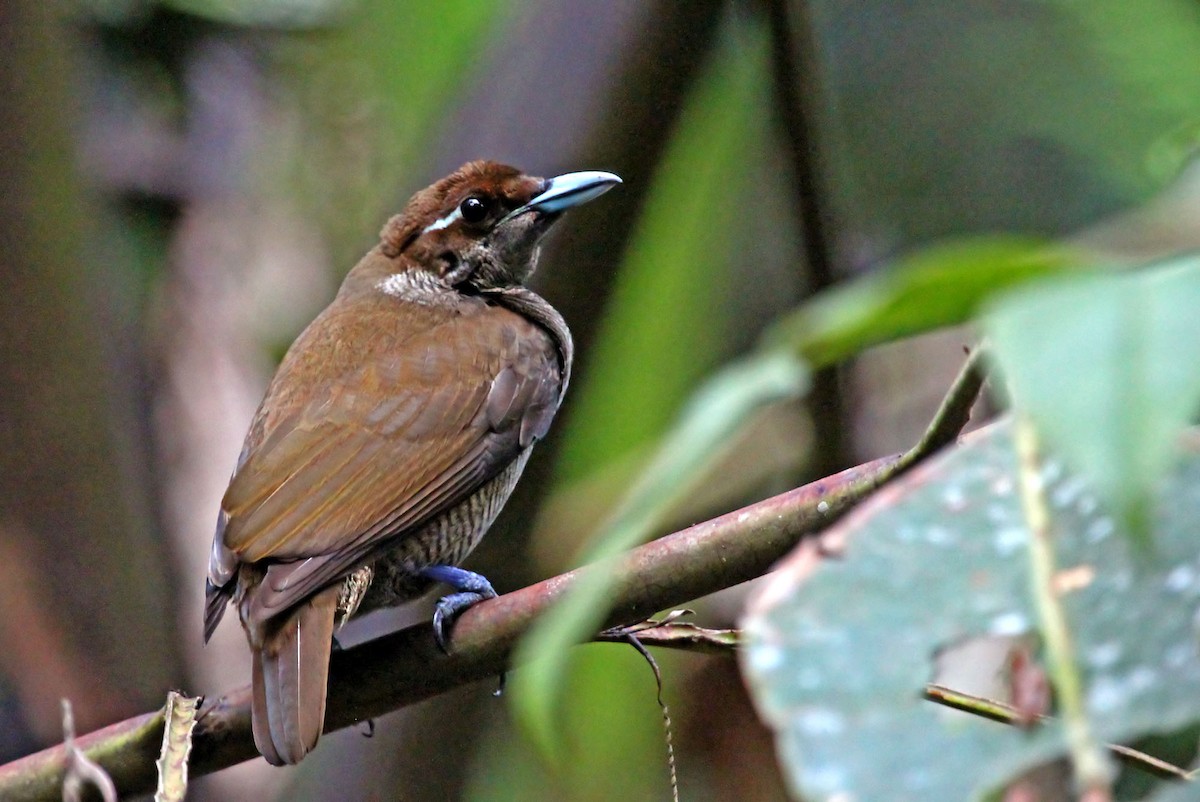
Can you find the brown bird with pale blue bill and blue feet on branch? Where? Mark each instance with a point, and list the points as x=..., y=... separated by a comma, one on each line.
x=392, y=435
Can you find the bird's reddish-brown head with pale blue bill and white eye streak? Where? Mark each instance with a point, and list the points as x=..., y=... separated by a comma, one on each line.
x=483, y=224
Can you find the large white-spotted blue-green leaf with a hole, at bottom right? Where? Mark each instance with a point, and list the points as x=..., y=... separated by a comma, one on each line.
x=837, y=655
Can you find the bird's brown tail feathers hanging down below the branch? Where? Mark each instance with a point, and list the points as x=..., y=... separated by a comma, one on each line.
x=291, y=679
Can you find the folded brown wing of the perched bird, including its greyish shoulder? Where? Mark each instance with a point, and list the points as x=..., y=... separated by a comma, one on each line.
x=409, y=427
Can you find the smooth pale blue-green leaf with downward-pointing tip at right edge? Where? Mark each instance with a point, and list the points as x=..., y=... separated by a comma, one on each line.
x=1107, y=369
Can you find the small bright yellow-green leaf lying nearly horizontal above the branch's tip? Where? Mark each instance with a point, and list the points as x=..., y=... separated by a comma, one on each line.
x=939, y=286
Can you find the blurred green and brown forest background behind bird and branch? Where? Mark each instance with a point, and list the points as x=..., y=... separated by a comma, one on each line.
x=183, y=184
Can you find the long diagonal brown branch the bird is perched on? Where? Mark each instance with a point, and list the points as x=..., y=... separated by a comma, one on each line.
x=407, y=667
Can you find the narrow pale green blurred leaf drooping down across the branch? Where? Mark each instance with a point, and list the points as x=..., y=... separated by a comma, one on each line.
x=709, y=422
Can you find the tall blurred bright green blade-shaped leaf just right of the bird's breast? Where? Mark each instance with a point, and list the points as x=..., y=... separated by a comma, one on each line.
x=667, y=322
